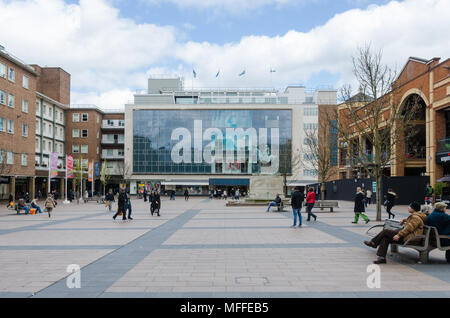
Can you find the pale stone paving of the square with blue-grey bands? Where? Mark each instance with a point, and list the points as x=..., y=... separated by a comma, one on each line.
x=201, y=248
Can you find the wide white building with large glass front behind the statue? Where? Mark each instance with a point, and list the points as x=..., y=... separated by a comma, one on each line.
x=218, y=138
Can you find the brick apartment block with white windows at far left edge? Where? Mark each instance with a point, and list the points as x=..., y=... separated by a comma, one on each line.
x=18, y=83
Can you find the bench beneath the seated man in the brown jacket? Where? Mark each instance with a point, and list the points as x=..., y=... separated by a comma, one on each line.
x=420, y=243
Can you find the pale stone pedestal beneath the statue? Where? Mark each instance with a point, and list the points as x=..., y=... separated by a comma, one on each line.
x=265, y=187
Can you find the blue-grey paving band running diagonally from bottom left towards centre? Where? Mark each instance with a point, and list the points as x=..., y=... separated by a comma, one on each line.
x=125, y=257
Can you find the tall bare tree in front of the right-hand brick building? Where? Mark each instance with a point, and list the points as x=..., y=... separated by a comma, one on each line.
x=372, y=127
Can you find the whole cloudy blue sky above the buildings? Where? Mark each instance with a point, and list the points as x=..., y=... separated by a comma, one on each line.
x=111, y=47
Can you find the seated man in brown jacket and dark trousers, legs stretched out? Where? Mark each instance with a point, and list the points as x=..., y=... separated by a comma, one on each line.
x=413, y=226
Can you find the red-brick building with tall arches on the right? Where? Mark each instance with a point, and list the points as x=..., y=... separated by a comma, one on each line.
x=428, y=153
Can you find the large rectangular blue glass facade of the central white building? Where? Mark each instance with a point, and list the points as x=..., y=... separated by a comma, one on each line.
x=212, y=141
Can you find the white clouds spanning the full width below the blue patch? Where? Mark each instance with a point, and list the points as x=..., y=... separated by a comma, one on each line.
x=109, y=56
